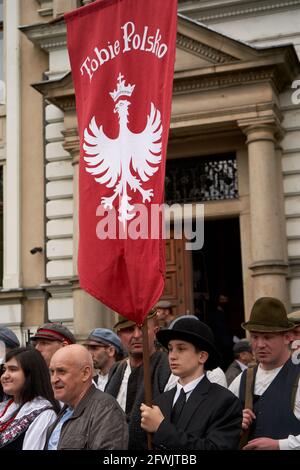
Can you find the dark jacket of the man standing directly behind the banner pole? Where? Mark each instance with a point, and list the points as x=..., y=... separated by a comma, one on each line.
x=160, y=373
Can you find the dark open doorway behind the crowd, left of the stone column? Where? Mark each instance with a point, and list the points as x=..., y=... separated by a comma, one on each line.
x=217, y=270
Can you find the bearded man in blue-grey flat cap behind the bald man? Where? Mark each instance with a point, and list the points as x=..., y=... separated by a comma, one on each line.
x=106, y=349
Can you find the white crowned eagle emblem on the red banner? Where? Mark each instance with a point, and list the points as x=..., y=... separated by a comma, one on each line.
x=128, y=160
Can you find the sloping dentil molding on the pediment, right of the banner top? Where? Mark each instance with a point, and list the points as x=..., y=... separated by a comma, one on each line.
x=199, y=49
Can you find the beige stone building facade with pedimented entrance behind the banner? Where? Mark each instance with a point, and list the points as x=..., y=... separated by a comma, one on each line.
x=234, y=147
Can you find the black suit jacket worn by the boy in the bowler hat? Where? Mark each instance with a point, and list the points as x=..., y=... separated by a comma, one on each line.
x=211, y=420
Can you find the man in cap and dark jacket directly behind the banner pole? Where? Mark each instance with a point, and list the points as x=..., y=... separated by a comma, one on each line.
x=126, y=382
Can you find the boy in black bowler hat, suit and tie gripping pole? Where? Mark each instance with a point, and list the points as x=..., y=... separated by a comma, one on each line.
x=196, y=414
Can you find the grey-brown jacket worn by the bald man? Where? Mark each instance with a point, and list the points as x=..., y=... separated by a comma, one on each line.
x=98, y=423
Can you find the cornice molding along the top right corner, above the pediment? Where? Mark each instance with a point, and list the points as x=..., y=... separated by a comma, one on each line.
x=208, y=12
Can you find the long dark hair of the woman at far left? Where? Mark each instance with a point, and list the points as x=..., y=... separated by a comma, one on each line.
x=37, y=376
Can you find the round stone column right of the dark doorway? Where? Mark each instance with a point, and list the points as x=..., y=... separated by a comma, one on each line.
x=269, y=264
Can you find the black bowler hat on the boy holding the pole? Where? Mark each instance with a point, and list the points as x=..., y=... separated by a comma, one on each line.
x=195, y=332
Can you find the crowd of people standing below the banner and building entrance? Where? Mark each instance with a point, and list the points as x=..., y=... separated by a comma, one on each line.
x=56, y=394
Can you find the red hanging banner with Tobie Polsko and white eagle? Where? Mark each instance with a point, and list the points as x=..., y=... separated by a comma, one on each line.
x=122, y=55
